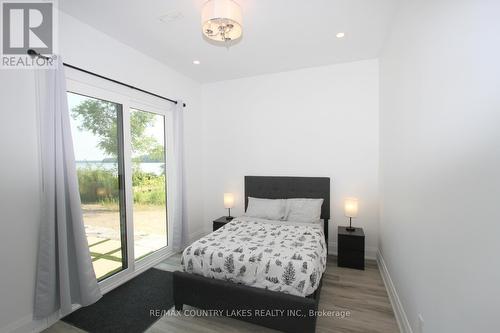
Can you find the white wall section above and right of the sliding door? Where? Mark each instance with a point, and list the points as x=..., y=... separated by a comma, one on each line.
x=110, y=58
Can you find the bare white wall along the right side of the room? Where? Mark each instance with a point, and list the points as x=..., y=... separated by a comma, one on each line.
x=440, y=163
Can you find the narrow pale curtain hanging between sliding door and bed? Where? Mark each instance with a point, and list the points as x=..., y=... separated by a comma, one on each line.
x=179, y=230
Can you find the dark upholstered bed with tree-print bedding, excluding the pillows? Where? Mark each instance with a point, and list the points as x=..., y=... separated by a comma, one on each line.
x=216, y=279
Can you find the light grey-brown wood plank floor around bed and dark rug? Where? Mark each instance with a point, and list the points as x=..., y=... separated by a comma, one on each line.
x=362, y=293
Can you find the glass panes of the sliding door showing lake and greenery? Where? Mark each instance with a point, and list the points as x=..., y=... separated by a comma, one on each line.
x=96, y=128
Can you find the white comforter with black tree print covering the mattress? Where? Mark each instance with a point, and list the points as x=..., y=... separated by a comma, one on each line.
x=274, y=255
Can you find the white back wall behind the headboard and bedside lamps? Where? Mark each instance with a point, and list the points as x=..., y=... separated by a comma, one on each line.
x=313, y=122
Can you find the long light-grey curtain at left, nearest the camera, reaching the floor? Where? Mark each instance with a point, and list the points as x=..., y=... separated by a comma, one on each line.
x=65, y=275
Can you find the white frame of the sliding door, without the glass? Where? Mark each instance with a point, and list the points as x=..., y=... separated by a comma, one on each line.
x=91, y=86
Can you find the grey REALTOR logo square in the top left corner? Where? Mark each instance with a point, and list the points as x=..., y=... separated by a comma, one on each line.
x=27, y=25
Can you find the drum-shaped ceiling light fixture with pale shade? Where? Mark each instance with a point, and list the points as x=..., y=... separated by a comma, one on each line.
x=221, y=20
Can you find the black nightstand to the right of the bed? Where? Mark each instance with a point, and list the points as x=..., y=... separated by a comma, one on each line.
x=351, y=248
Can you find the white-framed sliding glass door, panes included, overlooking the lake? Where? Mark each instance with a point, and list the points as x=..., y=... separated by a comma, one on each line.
x=121, y=147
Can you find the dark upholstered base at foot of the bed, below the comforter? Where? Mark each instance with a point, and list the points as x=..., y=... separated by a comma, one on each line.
x=292, y=313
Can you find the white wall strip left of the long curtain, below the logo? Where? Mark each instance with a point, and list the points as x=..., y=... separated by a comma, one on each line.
x=19, y=200
